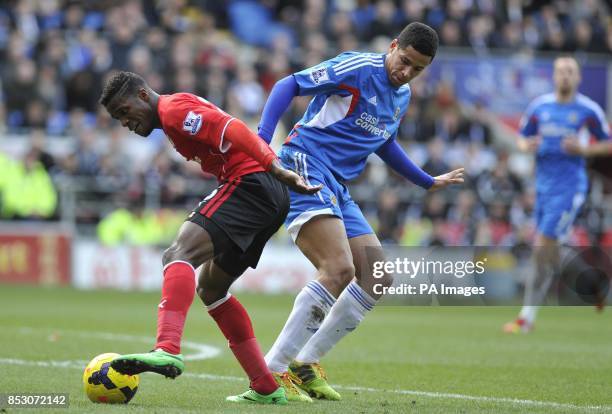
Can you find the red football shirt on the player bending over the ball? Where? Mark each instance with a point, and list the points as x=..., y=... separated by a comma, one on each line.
x=196, y=128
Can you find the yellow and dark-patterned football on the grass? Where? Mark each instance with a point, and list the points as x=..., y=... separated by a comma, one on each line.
x=105, y=385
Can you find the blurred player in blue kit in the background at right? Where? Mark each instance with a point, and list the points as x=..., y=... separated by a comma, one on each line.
x=556, y=127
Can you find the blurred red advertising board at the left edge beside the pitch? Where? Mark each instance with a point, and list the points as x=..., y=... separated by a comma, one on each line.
x=42, y=258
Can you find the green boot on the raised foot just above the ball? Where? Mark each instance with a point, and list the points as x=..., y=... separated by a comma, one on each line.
x=158, y=361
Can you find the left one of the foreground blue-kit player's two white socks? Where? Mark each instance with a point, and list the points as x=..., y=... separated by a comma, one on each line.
x=309, y=309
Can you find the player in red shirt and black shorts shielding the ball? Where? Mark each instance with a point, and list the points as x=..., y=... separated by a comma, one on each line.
x=225, y=233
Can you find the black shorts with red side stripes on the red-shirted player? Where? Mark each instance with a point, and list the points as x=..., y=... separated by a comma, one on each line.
x=241, y=215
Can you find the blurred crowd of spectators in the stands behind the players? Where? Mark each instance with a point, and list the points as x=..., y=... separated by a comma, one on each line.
x=81, y=166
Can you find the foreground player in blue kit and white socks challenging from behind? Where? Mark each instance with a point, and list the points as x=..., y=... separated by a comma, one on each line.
x=359, y=101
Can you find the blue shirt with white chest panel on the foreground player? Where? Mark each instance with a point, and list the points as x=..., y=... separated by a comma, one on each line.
x=355, y=110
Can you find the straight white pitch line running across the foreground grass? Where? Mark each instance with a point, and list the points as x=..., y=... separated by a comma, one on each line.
x=440, y=395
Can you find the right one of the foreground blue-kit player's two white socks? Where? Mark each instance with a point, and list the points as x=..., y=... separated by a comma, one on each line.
x=344, y=317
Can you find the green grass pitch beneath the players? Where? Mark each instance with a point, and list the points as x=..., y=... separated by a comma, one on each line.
x=400, y=360
